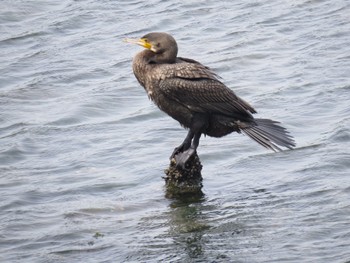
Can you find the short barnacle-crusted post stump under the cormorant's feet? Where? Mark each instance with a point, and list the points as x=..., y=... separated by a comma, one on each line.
x=184, y=181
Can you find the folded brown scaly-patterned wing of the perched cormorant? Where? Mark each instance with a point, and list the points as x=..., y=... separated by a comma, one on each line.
x=196, y=87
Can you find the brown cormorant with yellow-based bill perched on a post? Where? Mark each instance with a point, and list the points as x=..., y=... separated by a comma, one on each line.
x=195, y=96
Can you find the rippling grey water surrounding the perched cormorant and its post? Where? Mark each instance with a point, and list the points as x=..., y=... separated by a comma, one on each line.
x=82, y=149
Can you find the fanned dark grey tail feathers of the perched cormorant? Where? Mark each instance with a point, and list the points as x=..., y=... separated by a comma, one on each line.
x=269, y=134
